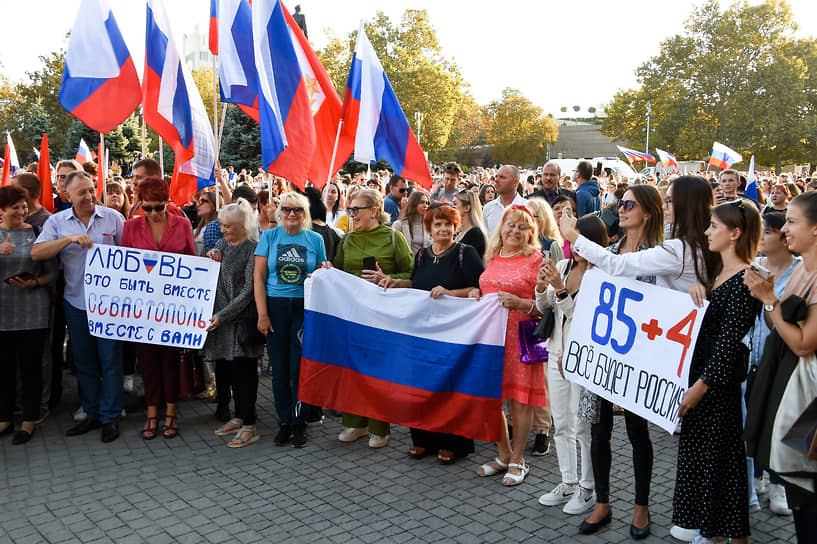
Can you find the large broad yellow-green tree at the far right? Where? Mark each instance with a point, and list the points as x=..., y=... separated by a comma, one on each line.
x=738, y=76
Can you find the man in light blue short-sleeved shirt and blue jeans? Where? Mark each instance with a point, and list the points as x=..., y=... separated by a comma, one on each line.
x=69, y=234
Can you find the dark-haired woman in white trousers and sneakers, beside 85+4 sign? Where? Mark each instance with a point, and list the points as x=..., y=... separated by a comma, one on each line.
x=557, y=285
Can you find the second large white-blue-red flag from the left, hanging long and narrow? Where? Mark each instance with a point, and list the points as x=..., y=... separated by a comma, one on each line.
x=173, y=107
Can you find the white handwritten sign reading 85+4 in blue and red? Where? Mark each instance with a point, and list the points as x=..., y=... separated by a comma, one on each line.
x=632, y=343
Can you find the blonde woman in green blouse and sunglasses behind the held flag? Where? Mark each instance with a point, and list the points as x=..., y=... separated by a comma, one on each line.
x=374, y=252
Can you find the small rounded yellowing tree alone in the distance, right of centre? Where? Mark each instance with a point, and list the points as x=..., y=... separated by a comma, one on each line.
x=519, y=130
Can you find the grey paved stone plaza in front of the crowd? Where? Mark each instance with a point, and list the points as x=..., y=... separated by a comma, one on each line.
x=194, y=489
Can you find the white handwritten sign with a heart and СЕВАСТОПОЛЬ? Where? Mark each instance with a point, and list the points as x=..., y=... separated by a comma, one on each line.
x=149, y=297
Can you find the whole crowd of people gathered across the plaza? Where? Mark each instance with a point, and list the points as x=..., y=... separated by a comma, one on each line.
x=528, y=236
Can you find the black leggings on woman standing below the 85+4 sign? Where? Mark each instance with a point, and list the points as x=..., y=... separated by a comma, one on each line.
x=639, y=435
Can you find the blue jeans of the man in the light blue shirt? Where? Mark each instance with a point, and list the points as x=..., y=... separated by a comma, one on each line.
x=99, y=368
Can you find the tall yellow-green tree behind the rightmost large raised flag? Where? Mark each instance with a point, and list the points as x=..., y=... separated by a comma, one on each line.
x=423, y=78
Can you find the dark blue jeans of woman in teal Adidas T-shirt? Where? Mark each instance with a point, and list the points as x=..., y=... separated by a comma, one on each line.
x=284, y=346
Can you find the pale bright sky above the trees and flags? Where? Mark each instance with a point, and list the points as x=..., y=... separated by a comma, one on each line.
x=556, y=53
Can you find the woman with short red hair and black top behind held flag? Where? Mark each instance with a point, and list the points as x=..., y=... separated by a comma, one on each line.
x=443, y=268
